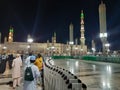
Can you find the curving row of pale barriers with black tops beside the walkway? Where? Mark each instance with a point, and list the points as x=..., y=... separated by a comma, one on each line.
x=57, y=78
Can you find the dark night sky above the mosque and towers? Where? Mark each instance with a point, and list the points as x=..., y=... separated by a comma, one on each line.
x=41, y=18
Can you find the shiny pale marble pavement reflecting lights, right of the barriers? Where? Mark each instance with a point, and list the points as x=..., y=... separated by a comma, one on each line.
x=96, y=75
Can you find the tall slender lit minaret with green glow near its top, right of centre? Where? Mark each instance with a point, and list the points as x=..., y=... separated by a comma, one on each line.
x=82, y=38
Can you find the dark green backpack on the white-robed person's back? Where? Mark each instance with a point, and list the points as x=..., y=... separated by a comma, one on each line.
x=28, y=74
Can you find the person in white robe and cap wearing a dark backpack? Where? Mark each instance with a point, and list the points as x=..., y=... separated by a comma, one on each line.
x=32, y=83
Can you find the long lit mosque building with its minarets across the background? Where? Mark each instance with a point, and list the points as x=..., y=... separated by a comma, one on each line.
x=48, y=48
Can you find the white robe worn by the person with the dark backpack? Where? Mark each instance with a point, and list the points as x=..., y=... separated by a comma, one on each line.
x=31, y=85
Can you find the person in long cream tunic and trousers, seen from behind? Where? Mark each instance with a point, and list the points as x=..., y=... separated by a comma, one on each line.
x=16, y=74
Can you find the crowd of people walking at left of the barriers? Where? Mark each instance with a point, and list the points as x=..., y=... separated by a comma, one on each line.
x=33, y=70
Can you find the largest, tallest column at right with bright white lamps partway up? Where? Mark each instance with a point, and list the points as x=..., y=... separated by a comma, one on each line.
x=102, y=22
